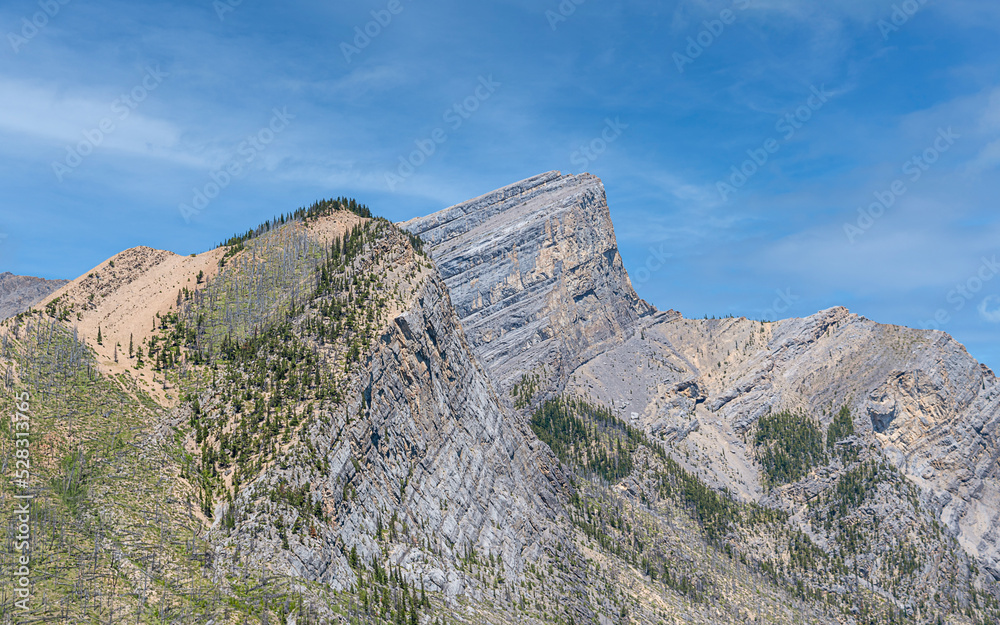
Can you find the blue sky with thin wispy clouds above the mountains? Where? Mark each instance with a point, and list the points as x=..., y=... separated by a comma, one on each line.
x=115, y=114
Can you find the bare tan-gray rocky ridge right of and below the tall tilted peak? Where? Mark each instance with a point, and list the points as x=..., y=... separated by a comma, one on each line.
x=920, y=402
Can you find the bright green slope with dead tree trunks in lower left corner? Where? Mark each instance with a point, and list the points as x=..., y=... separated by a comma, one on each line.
x=111, y=539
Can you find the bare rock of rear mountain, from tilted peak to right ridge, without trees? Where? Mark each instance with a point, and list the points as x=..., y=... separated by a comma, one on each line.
x=536, y=278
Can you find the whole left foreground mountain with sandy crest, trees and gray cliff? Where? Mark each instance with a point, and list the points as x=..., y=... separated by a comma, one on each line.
x=319, y=435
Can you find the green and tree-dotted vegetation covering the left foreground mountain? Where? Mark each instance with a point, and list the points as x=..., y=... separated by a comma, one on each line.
x=117, y=537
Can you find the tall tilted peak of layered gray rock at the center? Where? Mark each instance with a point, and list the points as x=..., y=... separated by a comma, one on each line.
x=534, y=274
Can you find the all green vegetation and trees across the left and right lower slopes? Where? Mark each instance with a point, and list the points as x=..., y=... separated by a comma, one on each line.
x=122, y=504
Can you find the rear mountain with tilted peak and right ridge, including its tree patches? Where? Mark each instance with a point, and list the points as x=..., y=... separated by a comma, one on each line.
x=540, y=255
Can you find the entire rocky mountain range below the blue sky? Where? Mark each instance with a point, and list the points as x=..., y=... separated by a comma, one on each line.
x=472, y=417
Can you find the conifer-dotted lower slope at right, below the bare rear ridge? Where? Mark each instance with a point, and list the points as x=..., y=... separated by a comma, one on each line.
x=630, y=491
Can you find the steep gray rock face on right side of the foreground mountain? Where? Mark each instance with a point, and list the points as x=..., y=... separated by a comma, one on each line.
x=426, y=450
